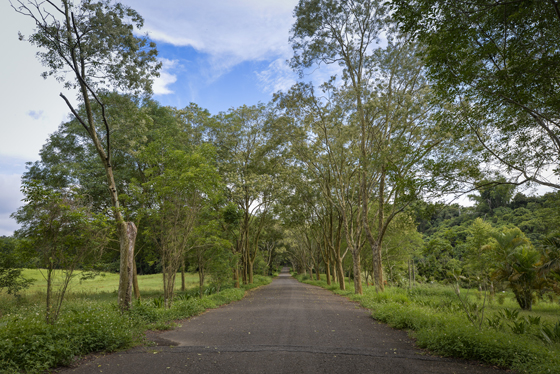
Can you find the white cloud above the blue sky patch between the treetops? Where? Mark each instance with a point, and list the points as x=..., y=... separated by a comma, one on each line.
x=229, y=32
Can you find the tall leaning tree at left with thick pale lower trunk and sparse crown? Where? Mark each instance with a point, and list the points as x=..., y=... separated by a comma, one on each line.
x=91, y=47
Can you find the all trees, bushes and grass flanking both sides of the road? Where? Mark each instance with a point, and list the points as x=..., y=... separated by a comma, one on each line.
x=350, y=178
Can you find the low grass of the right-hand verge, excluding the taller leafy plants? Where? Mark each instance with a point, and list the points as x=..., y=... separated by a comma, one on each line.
x=436, y=320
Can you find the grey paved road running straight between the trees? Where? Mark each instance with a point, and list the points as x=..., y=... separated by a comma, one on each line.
x=285, y=327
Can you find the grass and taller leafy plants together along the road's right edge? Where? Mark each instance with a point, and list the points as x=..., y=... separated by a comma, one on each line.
x=507, y=337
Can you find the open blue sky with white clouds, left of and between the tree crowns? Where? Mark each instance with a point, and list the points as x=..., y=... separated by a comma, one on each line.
x=218, y=54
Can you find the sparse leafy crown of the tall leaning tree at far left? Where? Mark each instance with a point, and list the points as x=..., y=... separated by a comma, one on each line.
x=94, y=39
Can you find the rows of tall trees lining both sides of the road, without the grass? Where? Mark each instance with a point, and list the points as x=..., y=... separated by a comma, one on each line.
x=321, y=171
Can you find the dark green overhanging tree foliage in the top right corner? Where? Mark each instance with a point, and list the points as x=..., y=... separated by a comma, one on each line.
x=500, y=61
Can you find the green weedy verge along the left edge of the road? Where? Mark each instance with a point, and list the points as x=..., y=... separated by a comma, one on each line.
x=92, y=324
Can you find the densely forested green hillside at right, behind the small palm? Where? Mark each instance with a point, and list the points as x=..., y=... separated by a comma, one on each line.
x=451, y=229
